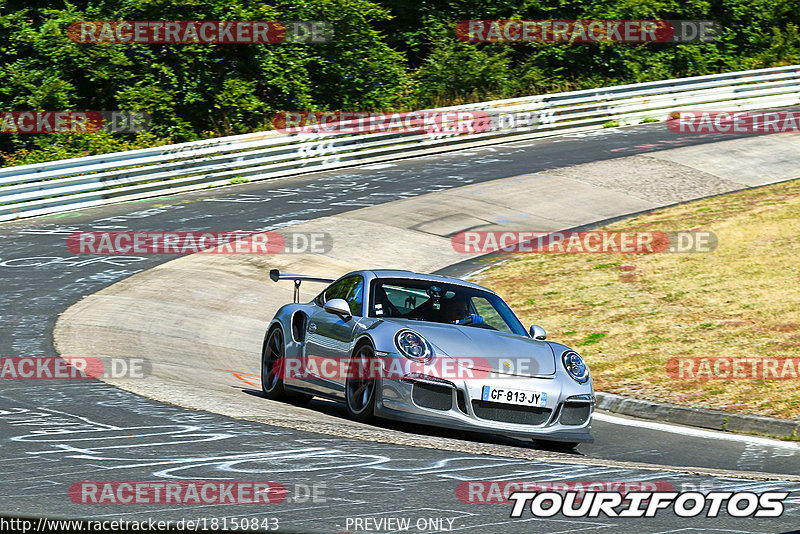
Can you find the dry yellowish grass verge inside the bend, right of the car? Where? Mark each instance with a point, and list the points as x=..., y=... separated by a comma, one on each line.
x=630, y=314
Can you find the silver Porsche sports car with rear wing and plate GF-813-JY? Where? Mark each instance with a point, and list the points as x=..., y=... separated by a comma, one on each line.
x=426, y=349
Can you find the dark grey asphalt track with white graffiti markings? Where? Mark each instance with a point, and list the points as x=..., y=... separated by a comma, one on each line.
x=56, y=433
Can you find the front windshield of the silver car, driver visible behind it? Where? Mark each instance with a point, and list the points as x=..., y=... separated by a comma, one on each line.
x=438, y=302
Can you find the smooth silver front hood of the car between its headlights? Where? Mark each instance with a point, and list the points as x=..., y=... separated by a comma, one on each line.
x=491, y=351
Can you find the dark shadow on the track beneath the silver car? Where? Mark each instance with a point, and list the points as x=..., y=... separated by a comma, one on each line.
x=338, y=410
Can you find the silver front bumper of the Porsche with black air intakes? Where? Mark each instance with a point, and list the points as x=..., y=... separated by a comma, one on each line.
x=457, y=404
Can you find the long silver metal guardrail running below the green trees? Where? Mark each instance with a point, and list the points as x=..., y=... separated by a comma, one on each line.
x=30, y=190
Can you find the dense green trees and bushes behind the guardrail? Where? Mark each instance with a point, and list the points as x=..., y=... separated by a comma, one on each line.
x=386, y=54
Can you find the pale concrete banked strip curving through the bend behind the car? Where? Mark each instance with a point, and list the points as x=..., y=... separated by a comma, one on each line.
x=200, y=320
